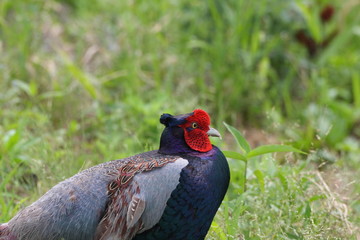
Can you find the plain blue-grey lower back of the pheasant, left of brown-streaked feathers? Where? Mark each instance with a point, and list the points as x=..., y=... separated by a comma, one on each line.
x=71, y=210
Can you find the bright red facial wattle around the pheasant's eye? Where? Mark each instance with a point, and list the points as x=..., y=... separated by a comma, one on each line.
x=195, y=131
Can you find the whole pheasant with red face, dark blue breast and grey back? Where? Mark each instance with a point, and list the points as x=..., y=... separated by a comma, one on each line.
x=170, y=193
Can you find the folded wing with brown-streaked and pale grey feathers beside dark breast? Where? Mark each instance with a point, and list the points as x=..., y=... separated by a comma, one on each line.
x=138, y=206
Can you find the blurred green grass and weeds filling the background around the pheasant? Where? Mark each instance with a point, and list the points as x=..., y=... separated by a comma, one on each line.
x=83, y=82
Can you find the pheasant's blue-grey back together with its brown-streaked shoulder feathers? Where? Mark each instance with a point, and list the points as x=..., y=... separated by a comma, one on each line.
x=74, y=208
